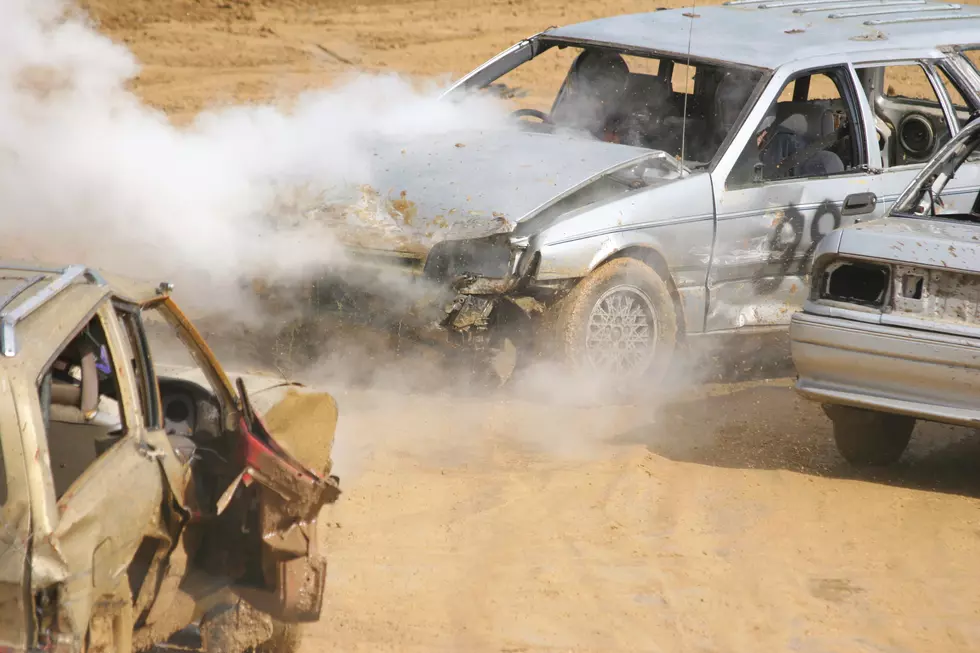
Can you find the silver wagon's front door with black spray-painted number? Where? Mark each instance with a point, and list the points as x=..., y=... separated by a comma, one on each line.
x=797, y=170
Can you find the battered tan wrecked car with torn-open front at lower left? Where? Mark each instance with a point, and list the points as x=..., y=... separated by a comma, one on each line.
x=134, y=505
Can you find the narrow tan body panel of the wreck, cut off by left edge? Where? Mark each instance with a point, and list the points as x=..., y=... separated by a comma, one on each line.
x=15, y=528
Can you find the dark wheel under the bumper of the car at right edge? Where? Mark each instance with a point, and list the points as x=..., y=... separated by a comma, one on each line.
x=867, y=438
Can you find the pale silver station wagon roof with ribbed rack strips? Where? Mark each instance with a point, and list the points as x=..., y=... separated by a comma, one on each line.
x=772, y=34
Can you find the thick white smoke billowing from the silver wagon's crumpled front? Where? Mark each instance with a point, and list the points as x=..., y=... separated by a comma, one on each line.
x=89, y=173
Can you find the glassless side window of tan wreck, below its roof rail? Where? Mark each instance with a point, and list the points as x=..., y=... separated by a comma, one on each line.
x=81, y=404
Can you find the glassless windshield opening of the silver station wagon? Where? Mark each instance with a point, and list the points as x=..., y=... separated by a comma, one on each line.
x=681, y=106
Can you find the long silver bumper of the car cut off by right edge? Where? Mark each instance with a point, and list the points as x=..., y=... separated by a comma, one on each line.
x=926, y=375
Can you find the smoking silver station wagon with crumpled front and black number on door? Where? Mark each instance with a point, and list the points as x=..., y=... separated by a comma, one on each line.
x=676, y=180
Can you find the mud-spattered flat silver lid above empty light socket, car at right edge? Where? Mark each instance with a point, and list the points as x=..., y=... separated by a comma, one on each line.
x=917, y=241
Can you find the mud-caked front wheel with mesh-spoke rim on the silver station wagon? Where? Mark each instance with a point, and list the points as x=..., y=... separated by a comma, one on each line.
x=619, y=321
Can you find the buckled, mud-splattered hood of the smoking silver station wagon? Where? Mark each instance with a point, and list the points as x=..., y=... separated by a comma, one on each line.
x=465, y=185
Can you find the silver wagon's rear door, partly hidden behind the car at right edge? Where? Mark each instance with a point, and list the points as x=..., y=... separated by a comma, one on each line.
x=916, y=108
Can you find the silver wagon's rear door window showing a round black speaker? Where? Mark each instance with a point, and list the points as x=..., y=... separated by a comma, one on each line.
x=909, y=118
